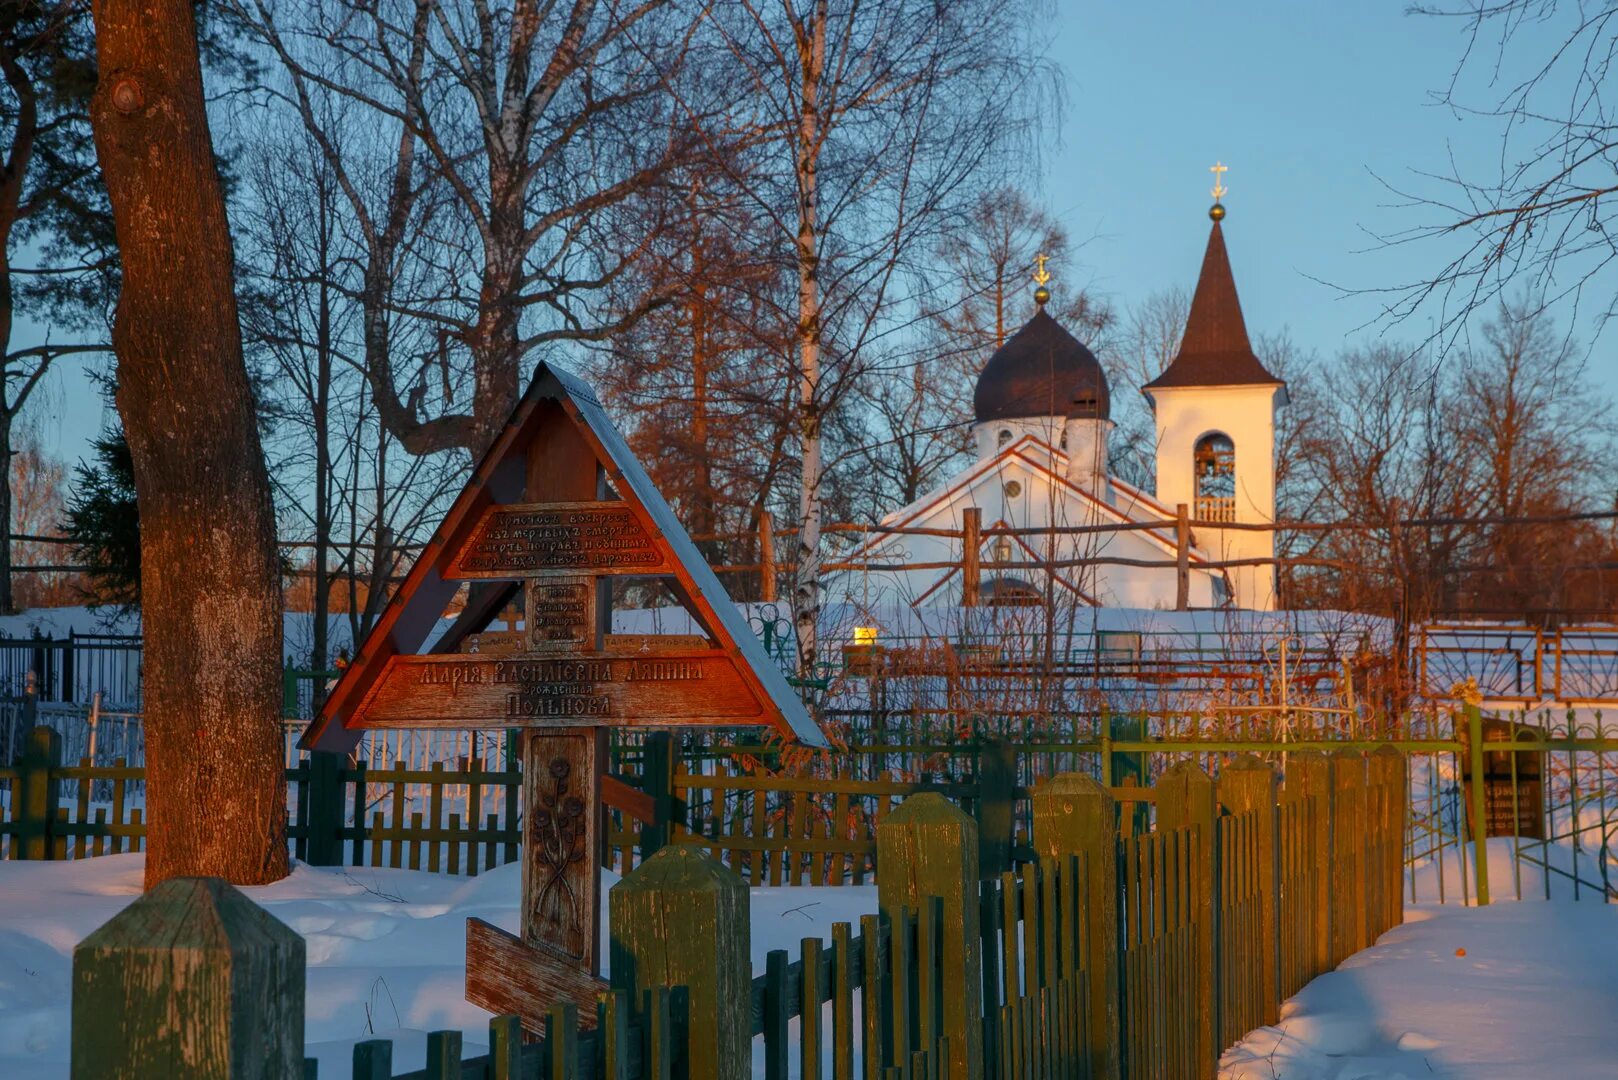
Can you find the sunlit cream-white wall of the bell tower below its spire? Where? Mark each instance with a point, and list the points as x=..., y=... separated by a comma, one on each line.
x=1247, y=415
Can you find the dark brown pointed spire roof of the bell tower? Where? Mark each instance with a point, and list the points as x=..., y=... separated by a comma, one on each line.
x=1214, y=351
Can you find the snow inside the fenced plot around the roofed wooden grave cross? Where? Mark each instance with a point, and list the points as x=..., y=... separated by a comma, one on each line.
x=386, y=950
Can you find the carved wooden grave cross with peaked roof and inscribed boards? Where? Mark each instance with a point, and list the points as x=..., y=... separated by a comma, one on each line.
x=559, y=509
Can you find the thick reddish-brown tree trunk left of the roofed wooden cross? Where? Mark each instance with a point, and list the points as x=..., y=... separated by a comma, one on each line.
x=210, y=582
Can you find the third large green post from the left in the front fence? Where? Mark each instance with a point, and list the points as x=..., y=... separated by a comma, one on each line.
x=928, y=848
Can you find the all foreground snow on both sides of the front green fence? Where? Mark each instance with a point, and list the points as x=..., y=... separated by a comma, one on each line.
x=1533, y=995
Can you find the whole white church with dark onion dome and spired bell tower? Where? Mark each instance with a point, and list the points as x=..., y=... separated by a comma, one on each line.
x=1040, y=485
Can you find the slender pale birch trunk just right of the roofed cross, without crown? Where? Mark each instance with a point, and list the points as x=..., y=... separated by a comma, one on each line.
x=807, y=590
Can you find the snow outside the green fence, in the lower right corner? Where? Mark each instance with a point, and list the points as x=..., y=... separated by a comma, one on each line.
x=1515, y=990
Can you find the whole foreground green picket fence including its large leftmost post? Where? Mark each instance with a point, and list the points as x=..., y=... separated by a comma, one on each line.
x=1114, y=955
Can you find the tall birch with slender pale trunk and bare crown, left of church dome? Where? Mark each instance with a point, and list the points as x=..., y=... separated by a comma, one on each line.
x=878, y=127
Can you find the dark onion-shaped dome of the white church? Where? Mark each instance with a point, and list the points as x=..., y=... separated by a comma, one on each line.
x=1043, y=372
